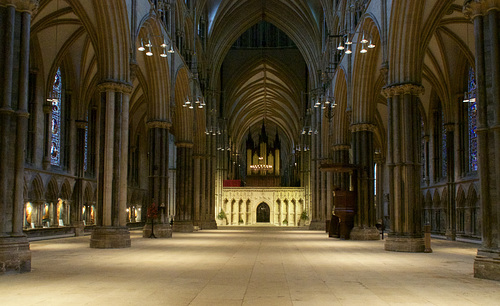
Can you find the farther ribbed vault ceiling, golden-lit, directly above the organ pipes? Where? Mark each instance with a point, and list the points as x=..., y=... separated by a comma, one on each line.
x=264, y=91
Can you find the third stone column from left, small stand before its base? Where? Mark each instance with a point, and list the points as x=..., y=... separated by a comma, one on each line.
x=158, y=176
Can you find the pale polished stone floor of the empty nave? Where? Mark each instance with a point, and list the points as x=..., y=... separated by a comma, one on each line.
x=258, y=266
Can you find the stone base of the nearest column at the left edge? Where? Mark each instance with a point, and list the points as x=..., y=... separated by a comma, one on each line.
x=15, y=255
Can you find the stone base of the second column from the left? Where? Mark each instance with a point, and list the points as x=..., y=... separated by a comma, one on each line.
x=110, y=237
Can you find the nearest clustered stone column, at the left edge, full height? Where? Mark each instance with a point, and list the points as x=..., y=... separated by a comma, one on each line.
x=15, y=256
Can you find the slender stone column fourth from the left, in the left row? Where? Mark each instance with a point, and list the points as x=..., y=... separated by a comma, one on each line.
x=184, y=193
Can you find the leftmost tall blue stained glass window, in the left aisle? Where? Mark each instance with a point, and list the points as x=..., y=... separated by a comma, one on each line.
x=55, y=149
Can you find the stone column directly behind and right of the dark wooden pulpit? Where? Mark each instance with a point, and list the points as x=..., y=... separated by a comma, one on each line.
x=362, y=147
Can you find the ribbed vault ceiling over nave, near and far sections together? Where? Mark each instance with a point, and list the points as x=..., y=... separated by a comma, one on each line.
x=264, y=87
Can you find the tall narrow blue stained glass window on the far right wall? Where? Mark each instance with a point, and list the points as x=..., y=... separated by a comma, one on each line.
x=472, y=121
